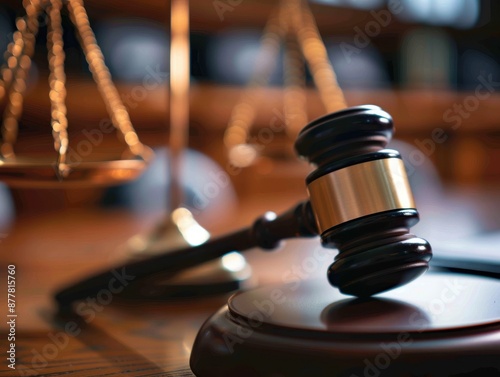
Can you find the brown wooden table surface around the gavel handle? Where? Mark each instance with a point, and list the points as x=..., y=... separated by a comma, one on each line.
x=121, y=338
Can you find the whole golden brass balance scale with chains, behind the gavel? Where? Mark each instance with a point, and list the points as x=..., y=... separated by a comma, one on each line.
x=292, y=22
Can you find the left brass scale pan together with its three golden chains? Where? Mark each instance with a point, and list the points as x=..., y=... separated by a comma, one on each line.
x=25, y=172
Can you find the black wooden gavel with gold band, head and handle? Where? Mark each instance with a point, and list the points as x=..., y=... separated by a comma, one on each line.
x=360, y=202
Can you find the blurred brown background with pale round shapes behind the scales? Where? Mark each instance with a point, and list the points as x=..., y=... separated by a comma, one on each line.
x=433, y=65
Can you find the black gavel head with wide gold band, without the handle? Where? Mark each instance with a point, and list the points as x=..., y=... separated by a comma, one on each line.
x=362, y=201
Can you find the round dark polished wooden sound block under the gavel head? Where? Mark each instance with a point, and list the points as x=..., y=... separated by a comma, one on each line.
x=442, y=324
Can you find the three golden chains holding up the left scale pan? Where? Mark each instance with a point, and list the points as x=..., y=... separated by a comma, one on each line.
x=14, y=75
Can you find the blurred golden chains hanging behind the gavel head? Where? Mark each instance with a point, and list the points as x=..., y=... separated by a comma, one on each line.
x=293, y=22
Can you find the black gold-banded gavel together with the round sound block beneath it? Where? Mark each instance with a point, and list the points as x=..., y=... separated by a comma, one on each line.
x=360, y=202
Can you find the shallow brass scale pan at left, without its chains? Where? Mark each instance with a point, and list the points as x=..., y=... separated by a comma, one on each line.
x=21, y=172
